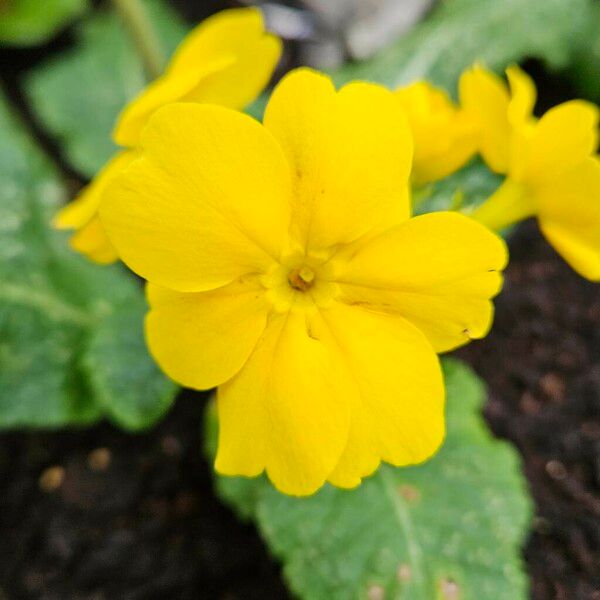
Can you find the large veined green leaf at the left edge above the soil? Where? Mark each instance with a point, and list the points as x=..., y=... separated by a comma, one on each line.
x=71, y=343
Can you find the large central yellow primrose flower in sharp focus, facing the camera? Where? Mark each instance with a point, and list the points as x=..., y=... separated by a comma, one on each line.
x=284, y=268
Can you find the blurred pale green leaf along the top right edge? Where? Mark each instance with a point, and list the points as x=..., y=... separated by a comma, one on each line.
x=460, y=32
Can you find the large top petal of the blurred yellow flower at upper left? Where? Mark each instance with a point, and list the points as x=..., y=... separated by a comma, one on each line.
x=228, y=60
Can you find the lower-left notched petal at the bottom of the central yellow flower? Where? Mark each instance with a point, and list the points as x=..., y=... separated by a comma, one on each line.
x=287, y=411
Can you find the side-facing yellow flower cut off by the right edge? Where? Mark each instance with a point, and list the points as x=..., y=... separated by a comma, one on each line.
x=552, y=170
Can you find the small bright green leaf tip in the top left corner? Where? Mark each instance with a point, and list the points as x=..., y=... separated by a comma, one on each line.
x=28, y=22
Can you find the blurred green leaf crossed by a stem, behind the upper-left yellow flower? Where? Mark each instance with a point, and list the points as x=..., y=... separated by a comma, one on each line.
x=78, y=95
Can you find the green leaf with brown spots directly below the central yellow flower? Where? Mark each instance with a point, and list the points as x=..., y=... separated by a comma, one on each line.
x=450, y=528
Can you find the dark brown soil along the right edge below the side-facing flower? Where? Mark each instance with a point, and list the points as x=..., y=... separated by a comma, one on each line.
x=542, y=366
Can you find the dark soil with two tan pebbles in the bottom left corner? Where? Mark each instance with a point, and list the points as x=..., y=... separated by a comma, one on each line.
x=133, y=518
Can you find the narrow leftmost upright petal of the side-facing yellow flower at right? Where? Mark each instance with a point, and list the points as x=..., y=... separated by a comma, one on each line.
x=484, y=96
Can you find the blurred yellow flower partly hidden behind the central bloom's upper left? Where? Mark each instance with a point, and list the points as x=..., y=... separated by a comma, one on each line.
x=228, y=60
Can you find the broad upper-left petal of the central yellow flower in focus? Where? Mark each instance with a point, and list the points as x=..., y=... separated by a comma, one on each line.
x=208, y=202
